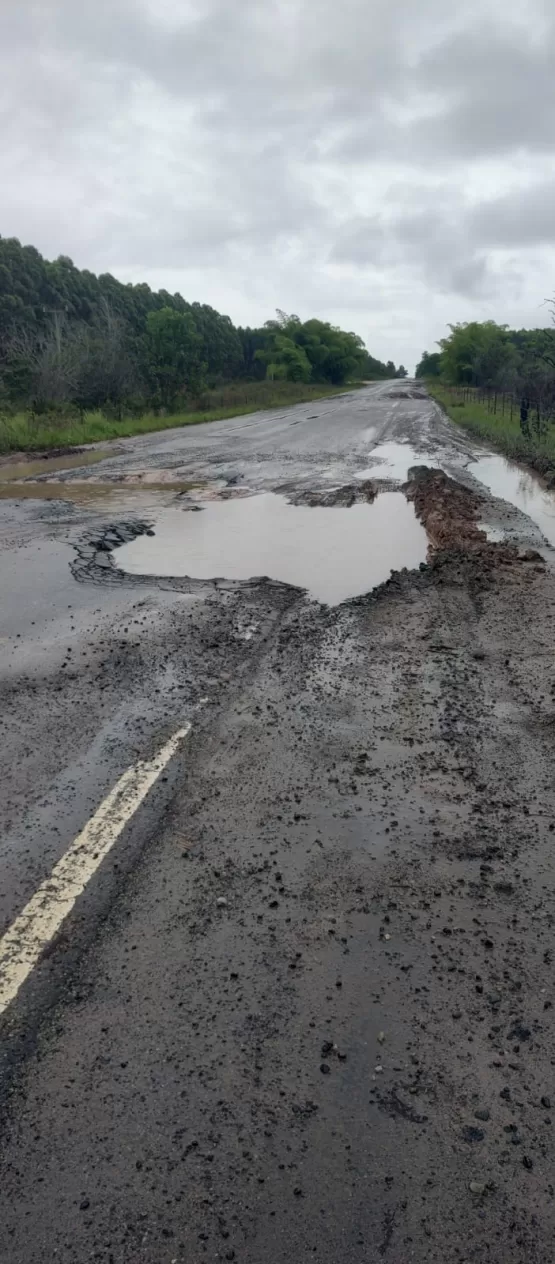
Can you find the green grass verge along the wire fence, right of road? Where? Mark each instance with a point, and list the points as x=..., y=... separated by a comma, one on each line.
x=503, y=432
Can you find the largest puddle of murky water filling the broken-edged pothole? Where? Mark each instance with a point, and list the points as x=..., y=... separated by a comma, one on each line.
x=334, y=554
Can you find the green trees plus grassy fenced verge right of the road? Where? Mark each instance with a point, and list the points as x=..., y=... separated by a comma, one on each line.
x=500, y=385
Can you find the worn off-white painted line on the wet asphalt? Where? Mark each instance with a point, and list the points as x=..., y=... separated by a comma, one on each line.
x=23, y=945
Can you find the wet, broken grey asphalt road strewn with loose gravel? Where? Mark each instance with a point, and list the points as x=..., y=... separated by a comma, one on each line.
x=304, y=1009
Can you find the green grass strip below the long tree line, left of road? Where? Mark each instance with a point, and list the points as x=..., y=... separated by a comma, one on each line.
x=23, y=433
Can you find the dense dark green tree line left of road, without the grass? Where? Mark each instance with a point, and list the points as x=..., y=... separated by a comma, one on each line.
x=71, y=339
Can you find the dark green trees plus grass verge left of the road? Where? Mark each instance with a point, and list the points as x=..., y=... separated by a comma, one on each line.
x=87, y=358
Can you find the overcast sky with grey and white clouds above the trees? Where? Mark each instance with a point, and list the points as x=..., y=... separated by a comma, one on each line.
x=386, y=165
